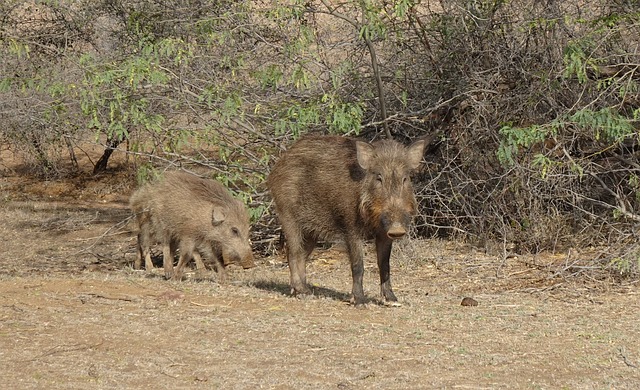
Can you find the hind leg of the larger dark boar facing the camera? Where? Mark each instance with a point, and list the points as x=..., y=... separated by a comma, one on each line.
x=299, y=247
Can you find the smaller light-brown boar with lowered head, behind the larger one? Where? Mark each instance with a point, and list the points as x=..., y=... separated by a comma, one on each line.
x=196, y=215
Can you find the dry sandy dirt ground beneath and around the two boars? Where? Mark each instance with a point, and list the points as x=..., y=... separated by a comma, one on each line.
x=75, y=315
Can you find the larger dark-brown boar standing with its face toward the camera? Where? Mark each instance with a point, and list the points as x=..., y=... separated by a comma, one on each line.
x=331, y=186
